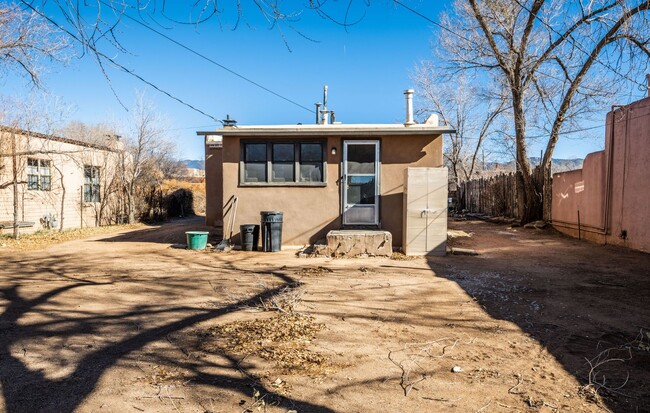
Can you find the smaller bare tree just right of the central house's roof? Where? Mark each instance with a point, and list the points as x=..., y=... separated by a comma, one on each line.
x=468, y=108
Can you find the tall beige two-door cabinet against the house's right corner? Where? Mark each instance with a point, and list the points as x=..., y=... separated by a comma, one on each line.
x=425, y=211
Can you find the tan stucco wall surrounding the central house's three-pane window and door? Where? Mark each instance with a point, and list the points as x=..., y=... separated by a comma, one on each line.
x=310, y=212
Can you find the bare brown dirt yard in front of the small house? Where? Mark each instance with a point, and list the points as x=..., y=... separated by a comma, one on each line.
x=128, y=323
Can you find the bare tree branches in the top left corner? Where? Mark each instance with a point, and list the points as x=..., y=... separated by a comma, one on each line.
x=26, y=39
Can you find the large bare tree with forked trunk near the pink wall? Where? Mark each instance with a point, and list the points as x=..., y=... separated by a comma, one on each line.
x=559, y=60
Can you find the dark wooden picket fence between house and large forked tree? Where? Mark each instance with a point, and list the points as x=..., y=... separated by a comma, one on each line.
x=494, y=196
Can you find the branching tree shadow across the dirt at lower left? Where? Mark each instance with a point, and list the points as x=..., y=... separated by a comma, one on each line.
x=29, y=389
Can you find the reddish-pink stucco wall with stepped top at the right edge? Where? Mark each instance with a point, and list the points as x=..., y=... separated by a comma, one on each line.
x=607, y=200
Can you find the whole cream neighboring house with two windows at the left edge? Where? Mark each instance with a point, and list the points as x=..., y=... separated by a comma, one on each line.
x=59, y=182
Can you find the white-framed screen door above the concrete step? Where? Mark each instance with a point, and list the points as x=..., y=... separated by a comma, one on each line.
x=360, y=182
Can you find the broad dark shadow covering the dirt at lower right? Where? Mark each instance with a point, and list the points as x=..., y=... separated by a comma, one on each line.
x=583, y=302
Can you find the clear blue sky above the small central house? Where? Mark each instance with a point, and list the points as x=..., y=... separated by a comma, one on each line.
x=366, y=66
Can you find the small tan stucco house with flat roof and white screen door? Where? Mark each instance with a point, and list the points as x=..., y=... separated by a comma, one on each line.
x=324, y=176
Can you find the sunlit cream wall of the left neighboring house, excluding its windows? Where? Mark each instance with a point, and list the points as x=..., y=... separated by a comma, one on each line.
x=64, y=199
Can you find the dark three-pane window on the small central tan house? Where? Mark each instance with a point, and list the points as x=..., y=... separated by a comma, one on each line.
x=283, y=163
